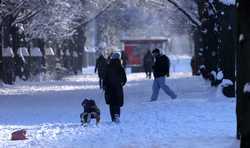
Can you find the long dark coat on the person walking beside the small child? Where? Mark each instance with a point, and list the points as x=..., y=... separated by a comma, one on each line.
x=113, y=82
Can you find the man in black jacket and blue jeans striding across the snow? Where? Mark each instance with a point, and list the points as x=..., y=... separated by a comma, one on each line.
x=160, y=70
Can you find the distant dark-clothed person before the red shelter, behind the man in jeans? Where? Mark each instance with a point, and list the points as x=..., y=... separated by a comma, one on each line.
x=148, y=61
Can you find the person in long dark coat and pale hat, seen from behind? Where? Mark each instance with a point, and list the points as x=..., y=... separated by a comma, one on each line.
x=114, y=80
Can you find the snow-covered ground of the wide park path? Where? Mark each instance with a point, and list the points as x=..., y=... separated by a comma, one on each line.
x=199, y=118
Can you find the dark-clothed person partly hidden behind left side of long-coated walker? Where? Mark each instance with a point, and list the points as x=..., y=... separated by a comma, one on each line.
x=100, y=67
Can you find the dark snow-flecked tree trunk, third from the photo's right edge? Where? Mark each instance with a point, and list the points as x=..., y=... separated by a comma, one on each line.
x=209, y=37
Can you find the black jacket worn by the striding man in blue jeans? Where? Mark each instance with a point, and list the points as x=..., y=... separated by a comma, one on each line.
x=161, y=66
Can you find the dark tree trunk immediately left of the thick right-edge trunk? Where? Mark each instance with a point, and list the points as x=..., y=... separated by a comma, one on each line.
x=227, y=23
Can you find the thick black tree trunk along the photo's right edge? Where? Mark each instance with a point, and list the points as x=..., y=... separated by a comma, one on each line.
x=243, y=72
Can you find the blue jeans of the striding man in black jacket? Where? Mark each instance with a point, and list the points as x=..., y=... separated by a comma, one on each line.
x=160, y=83
